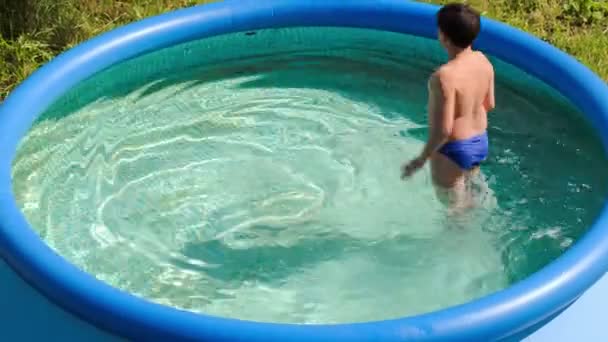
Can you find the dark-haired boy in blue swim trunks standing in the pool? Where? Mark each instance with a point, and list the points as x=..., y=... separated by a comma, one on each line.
x=461, y=93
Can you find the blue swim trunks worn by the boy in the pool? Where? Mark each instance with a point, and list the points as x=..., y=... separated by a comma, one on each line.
x=467, y=153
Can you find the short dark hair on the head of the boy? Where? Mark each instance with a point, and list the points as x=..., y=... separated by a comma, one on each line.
x=459, y=23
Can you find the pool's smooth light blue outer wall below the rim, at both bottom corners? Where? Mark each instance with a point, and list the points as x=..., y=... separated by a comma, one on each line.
x=33, y=318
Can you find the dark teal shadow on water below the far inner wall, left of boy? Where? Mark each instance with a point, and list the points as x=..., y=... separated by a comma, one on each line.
x=332, y=72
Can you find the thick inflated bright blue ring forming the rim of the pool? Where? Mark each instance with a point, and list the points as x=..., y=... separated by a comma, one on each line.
x=501, y=316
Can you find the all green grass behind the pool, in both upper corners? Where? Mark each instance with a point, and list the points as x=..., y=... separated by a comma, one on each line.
x=34, y=31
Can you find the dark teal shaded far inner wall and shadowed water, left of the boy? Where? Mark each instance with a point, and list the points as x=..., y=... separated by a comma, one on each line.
x=267, y=55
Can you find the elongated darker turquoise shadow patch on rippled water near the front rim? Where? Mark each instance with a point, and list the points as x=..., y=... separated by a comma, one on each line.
x=276, y=262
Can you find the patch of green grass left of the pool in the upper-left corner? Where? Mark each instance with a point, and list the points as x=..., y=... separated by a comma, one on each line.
x=34, y=31
